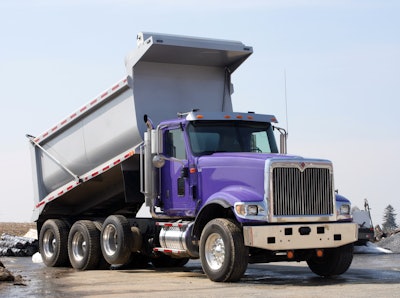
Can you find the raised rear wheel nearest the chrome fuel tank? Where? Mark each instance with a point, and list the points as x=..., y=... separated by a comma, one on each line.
x=116, y=240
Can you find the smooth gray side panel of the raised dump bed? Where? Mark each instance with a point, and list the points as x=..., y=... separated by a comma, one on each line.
x=100, y=133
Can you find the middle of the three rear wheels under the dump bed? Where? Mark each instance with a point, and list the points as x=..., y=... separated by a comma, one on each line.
x=84, y=245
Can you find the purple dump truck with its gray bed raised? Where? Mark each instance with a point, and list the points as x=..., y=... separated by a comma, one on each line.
x=116, y=182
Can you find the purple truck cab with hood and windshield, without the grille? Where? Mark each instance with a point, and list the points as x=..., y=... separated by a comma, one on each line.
x=193, y=143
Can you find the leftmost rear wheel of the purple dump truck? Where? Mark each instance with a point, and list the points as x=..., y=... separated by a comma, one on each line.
x=53, y=239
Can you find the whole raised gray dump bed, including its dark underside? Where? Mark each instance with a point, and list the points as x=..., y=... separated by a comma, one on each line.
x=88, y=163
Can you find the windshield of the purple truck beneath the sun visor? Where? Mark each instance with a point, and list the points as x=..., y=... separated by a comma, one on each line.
x=207, y=137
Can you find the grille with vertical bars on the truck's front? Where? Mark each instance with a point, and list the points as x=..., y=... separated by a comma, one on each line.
x=299, y=193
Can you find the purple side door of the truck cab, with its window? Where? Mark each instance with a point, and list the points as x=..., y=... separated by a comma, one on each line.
x=175, y=183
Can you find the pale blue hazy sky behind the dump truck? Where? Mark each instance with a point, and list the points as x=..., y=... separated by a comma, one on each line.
x=342, y=63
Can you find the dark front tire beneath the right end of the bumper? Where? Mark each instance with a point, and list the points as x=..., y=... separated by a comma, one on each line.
x=335, y=261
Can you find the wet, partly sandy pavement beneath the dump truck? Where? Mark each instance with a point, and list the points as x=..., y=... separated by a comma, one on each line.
x=369, y=274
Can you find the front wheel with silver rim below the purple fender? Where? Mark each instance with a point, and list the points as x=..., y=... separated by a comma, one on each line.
x=224, y=257
